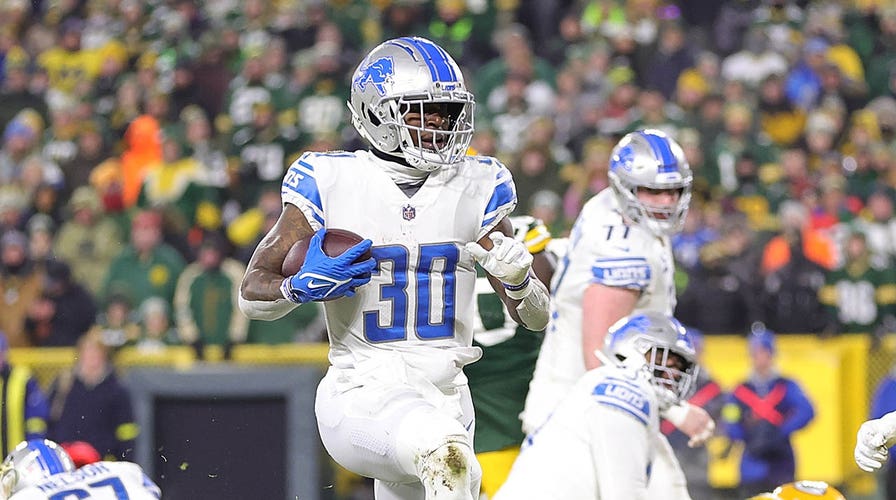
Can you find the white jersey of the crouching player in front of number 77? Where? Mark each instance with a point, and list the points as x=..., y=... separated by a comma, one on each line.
x=601, y=442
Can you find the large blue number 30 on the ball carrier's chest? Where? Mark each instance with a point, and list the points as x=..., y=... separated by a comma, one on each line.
x=435, y=285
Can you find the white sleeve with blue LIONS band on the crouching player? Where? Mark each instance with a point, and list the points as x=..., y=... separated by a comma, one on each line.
x=619, y=428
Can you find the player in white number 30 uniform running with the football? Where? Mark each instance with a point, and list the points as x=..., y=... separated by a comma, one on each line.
x=395, y=405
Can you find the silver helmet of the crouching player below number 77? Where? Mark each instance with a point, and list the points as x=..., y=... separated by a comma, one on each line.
x=648, y=340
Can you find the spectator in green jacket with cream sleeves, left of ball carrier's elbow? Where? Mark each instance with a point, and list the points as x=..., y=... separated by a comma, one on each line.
x=205, y=301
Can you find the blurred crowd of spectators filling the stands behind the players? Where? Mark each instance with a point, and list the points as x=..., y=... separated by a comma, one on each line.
x=143, y=145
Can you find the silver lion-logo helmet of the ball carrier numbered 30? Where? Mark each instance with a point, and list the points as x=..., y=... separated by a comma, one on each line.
x=401, y=76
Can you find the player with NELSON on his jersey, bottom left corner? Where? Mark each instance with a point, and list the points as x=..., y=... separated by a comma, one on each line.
x=40, y=469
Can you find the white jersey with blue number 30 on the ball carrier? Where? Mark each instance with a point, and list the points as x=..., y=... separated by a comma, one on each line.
x=421, y=292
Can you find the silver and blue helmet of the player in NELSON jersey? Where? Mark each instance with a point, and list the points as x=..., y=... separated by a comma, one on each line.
x=32, y=461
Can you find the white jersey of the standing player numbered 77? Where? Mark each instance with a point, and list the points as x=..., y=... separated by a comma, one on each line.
x=603, y=249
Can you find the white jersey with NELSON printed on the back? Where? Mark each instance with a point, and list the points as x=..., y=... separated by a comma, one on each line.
x=96, y=481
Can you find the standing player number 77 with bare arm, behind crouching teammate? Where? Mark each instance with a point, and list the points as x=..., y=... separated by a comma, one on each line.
x=619, y=262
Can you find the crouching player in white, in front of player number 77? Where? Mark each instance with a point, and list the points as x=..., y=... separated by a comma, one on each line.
x=603, y=440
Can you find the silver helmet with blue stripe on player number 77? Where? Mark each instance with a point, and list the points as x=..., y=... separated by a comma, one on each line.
x=650, y=159
